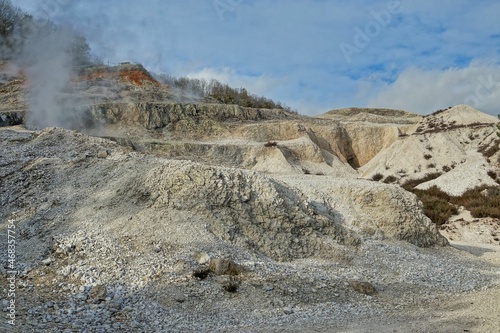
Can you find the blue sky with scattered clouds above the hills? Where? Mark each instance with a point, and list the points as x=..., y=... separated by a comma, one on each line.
x=312, y=55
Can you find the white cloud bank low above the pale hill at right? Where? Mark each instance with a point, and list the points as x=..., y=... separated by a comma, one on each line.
x=424, y=91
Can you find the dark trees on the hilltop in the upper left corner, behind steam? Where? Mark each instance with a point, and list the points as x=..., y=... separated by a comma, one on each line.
x=18, y=29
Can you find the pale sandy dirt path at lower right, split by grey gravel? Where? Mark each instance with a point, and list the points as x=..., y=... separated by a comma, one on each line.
x=477, y=312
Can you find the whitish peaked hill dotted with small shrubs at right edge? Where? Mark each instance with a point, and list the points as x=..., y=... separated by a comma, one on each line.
x=458, y=146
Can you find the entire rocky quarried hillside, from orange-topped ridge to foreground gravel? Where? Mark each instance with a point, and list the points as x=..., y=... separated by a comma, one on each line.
x=152, y=211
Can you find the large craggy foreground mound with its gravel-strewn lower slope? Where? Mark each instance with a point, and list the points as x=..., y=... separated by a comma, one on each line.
x=132, y=241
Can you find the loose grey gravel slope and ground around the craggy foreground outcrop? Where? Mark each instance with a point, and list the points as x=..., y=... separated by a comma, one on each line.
x=93, y=259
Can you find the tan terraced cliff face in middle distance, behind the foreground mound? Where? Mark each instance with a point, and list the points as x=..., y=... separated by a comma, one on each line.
x=306, y=144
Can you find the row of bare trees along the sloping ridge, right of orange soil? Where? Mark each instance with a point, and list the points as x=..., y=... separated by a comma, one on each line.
x=221, y=92
